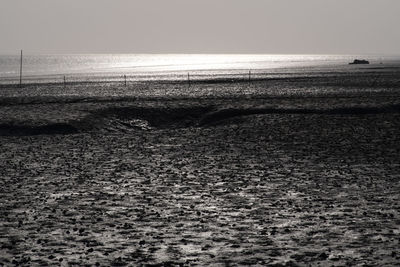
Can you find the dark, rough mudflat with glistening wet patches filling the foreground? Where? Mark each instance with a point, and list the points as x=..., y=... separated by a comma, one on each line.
x=262, y=180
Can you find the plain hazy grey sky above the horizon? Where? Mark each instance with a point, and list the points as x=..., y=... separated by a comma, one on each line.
x=202, y=26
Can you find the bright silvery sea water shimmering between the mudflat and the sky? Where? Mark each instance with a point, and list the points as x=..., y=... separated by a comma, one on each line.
x=168, y=66
